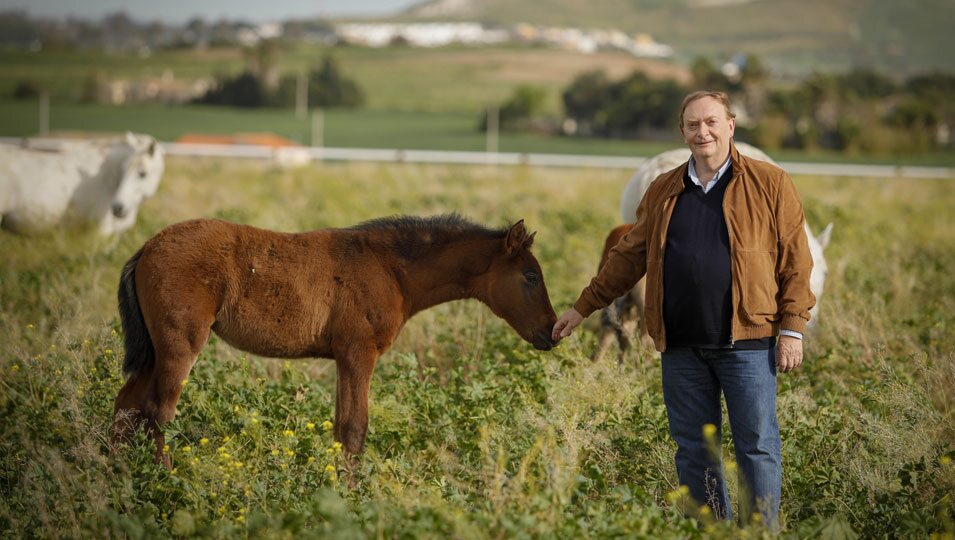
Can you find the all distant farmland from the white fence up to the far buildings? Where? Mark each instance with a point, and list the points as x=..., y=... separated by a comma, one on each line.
x=416, y=98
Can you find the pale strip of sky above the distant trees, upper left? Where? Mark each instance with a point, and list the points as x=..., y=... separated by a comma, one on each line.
x=178, y=11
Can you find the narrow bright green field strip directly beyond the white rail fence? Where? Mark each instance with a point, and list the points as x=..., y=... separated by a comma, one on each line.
x=363, y=128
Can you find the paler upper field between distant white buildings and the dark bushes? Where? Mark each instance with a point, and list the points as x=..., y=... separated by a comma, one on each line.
x=458, y=79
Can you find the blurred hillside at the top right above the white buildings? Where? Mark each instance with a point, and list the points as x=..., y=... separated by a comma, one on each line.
x=793, y=37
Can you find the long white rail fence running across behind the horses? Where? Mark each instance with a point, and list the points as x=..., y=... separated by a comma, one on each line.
x=301, y=155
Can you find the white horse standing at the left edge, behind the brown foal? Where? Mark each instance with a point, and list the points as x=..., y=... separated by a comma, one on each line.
x=78, y=184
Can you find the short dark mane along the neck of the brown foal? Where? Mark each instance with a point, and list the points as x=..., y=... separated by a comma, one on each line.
x=413, y=236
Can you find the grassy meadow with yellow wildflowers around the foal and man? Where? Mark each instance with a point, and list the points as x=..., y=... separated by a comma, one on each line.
x=473, y=434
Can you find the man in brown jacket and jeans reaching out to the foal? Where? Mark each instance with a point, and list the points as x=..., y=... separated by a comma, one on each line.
x=721, y=242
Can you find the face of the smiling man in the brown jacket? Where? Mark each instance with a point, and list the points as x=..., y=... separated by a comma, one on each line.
x=707, y=130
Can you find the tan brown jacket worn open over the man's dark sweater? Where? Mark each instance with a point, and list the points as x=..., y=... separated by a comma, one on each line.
x=769, y=253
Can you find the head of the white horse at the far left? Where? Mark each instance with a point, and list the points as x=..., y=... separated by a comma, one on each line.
x=140, y=172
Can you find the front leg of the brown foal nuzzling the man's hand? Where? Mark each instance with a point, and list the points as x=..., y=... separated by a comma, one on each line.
x=351, y=412
